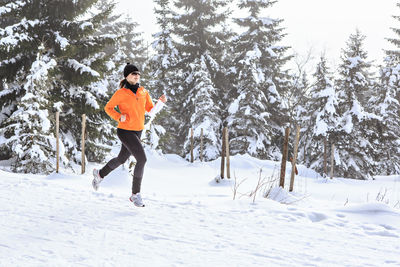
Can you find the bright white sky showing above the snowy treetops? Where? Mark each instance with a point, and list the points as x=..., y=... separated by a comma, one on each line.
x=322, y=25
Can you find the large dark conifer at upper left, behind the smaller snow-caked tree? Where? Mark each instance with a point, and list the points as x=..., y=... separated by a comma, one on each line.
x=69, y=37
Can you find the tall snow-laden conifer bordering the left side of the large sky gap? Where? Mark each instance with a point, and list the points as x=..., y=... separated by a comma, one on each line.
x=257, y=115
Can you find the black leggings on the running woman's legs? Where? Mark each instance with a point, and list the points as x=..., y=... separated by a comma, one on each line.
x=131, y=145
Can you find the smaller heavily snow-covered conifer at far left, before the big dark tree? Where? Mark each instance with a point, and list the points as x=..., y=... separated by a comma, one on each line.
x=28, y=131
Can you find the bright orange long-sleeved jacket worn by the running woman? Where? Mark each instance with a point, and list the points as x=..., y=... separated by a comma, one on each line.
x=133, y=105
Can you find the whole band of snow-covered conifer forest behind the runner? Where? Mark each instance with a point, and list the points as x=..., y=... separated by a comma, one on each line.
x=68, y=56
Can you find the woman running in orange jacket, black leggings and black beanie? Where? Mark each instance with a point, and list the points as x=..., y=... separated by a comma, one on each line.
x=133, y=101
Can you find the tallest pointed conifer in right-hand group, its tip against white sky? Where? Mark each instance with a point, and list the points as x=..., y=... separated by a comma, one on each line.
x=355, y=139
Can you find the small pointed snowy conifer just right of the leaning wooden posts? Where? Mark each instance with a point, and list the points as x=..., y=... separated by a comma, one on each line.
x=323, y=116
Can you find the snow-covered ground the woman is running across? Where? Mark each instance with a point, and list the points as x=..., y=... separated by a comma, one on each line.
x=190, y=220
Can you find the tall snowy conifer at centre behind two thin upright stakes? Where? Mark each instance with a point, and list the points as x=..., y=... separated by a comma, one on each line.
x=200, y=43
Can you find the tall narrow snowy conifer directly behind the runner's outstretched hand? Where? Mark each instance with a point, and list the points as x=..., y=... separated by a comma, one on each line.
x=165, y=80
